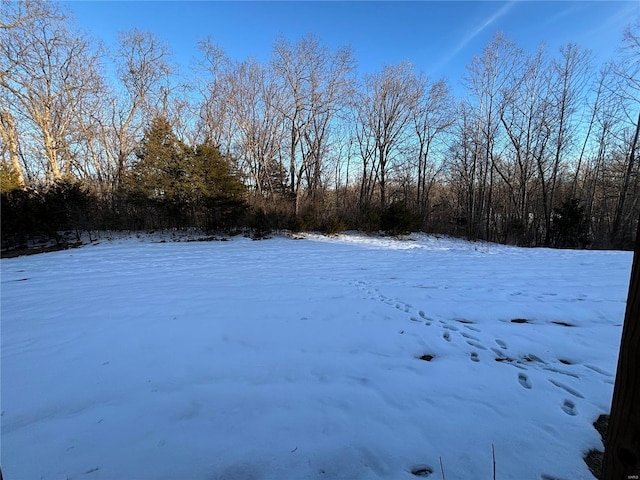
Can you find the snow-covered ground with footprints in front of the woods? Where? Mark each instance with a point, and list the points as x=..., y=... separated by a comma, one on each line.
x=299, y=359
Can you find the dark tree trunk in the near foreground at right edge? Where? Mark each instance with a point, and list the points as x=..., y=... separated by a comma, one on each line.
x=622, y=449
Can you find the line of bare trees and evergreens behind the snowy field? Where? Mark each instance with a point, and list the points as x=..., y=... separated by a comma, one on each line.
x=541, y=150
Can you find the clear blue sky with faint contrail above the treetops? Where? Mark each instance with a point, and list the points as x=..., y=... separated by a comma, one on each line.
x=438, y=37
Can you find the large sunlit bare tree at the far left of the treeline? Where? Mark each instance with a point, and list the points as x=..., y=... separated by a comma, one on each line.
x=47, y=73
